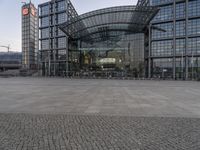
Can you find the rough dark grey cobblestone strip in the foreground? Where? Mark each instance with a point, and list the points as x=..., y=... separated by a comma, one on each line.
x=97, y=132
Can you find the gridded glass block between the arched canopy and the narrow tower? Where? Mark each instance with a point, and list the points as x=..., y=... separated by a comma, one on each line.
x=52, y=41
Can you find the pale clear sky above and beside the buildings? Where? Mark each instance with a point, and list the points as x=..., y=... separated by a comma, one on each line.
x=10, y=17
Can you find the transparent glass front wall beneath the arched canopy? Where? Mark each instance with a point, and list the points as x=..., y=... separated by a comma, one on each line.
x=121, y=56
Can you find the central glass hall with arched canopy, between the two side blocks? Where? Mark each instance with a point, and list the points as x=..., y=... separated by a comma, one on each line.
x=108, y=42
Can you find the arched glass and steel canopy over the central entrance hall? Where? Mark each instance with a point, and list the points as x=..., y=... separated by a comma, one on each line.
x=99, y=23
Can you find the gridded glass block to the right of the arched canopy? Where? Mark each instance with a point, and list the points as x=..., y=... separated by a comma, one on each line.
x=175, y=52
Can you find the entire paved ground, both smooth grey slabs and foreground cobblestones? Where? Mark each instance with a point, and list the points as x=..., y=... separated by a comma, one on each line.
x=62, y=114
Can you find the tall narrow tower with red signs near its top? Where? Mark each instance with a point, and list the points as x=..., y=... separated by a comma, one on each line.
x=29, y=36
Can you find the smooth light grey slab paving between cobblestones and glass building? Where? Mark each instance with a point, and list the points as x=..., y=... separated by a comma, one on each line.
x=117, y=97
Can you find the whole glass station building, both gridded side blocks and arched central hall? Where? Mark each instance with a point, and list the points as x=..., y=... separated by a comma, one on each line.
x=155, y=38
